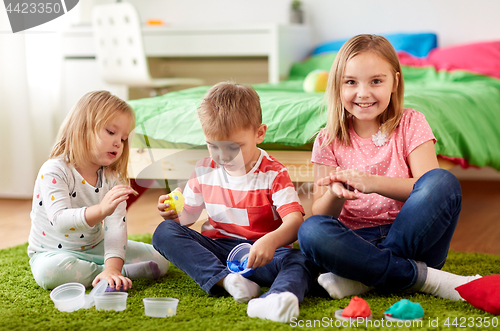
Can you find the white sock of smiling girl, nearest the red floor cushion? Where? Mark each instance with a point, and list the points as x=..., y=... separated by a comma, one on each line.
x=442, y=284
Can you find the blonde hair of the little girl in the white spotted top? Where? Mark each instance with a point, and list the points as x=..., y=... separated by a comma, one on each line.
x=77, y=137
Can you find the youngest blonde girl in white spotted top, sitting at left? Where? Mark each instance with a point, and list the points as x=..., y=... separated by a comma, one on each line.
x=78, y=219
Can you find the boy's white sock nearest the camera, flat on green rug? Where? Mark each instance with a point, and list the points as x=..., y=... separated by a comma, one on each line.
x=278, y=307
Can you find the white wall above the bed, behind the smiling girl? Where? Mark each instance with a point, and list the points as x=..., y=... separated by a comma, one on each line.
x=454, y=21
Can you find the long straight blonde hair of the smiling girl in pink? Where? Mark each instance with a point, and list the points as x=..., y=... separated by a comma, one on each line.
x=337, y=126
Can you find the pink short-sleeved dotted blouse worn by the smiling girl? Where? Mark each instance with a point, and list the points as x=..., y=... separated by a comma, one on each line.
x=388, y=160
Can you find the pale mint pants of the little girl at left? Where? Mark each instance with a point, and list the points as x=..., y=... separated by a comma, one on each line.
x=54, y=268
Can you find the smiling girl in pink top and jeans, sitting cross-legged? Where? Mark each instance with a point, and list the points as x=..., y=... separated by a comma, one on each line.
x=384, y=213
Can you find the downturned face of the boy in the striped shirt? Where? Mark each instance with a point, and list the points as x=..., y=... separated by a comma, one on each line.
x=238, y=152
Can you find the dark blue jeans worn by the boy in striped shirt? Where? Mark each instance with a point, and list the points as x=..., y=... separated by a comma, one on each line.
x=204, y=260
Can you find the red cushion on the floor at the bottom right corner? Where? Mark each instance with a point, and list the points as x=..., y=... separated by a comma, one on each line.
x=483, y=293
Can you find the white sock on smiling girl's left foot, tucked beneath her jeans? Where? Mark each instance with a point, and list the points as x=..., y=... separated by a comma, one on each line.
x=340, y=287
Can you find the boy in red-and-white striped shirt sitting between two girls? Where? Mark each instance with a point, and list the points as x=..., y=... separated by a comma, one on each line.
x=249, y=197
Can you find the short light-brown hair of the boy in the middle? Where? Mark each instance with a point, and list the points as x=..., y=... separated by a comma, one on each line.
x=228, y=107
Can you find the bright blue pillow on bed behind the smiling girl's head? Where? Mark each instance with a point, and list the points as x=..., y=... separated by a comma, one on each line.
x=417, y=44
